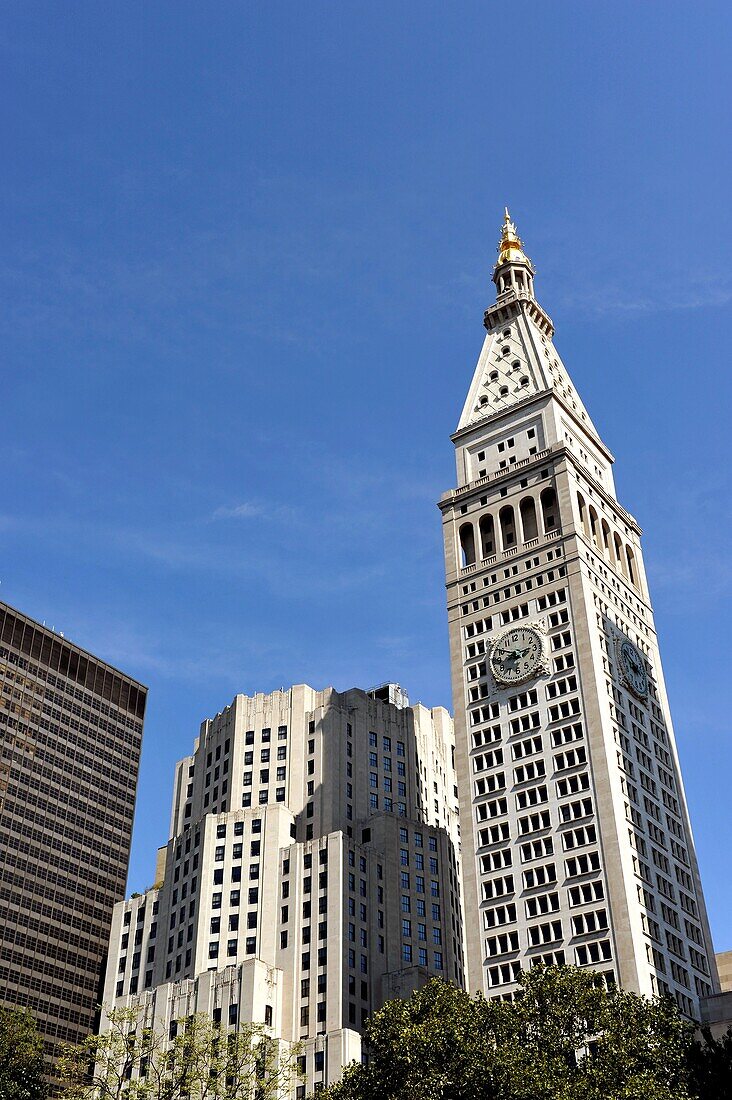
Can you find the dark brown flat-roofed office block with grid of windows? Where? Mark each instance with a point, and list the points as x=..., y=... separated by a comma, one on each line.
x=72, y=733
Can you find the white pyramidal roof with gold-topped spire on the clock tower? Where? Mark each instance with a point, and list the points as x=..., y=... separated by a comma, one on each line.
x=519, y=359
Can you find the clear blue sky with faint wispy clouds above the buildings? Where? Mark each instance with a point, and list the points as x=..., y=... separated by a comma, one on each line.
x=246, y=252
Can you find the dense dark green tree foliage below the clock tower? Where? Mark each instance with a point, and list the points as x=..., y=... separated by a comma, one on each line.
x=564, y=1038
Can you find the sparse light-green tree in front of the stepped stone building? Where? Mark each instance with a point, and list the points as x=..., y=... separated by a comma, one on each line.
x=196, y=1061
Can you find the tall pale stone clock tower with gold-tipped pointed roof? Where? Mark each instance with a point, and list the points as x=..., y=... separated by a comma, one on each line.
x=576, y=839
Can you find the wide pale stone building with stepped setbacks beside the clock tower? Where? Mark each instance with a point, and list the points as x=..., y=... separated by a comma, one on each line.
x=311, y=874
